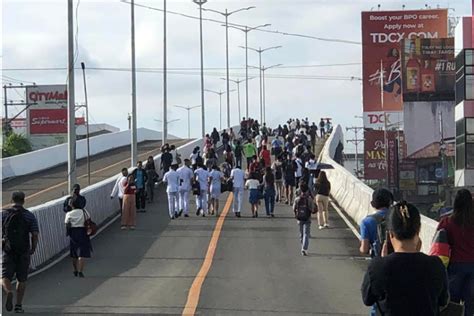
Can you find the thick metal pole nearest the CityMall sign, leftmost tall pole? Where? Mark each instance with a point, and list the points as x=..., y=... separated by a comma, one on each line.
x=71, y=126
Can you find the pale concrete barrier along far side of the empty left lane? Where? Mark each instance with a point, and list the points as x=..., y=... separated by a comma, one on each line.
x=46, y=158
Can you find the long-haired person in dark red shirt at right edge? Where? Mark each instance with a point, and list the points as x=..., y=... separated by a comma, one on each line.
x=459, y=226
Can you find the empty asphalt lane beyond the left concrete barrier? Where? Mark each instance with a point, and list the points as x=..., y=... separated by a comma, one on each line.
x=50, y=184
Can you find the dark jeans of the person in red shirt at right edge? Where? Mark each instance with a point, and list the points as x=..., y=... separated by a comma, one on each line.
x=461, y=282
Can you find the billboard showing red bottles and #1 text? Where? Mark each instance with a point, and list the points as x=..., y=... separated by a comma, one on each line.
x=429, y=69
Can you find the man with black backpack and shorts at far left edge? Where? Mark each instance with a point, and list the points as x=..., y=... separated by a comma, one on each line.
x=19, y=241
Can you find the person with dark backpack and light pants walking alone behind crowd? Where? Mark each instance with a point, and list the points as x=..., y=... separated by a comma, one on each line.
x=303, y=208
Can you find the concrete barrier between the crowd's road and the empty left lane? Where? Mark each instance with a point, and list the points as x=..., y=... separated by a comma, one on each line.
x=52, y=239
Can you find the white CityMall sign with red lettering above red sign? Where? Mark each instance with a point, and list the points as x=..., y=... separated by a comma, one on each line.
x=47, y=96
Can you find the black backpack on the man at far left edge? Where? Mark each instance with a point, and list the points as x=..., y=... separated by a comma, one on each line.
x=16, y=235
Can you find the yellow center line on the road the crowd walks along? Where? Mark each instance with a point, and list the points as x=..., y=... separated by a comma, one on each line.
x=195, y=290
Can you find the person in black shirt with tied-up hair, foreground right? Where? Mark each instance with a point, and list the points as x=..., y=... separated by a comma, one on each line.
x=405, y=282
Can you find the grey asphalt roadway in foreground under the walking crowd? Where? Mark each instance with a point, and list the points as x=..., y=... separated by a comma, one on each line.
x=257, y=269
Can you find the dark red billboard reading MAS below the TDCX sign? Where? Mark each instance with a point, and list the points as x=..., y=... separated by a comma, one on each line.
x=375, y=164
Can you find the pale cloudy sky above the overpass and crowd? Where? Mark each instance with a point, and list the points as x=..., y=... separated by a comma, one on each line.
x=34, y=36
